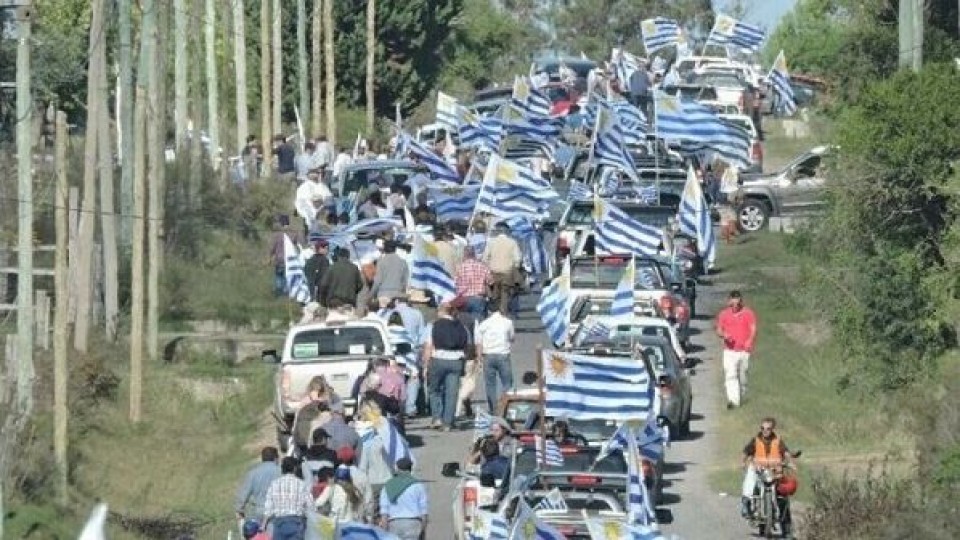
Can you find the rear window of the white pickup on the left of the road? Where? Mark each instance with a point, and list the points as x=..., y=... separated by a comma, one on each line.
x=337, y=341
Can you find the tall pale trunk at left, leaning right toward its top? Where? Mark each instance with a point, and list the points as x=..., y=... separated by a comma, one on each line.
x=89, y=206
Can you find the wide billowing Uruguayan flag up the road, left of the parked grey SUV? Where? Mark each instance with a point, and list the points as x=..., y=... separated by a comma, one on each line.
x=699, y=128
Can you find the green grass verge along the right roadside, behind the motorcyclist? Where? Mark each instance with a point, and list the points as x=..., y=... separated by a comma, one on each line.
x=793, y=375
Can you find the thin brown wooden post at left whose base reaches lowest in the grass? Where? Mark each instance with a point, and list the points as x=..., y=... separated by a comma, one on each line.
x=60, y=315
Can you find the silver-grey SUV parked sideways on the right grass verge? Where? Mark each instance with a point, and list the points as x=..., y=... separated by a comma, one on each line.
x=798, y=188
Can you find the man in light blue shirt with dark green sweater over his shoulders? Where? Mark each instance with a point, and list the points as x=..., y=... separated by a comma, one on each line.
x=403, y=503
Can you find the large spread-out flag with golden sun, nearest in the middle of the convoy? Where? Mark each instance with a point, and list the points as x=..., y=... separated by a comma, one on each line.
x=584, y=387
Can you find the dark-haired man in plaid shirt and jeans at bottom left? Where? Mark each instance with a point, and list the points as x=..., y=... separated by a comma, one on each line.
x=287, y=502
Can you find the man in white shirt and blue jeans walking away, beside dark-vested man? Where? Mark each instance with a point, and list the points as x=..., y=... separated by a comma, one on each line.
x=494, y=337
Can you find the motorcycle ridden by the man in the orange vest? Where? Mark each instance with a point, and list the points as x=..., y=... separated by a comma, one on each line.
x=771, y=501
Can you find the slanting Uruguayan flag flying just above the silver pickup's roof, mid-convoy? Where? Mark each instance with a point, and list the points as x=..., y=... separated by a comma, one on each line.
x=618, y=233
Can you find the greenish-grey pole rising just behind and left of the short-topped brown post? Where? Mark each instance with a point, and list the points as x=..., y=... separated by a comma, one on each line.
x=125, y=120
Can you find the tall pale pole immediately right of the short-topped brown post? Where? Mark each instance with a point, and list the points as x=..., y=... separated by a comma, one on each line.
x=155, y=160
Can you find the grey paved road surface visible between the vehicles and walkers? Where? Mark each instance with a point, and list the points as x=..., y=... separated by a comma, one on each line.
x=691, y=509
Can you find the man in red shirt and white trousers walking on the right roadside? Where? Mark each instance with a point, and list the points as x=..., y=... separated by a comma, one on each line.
x=737, y=327
